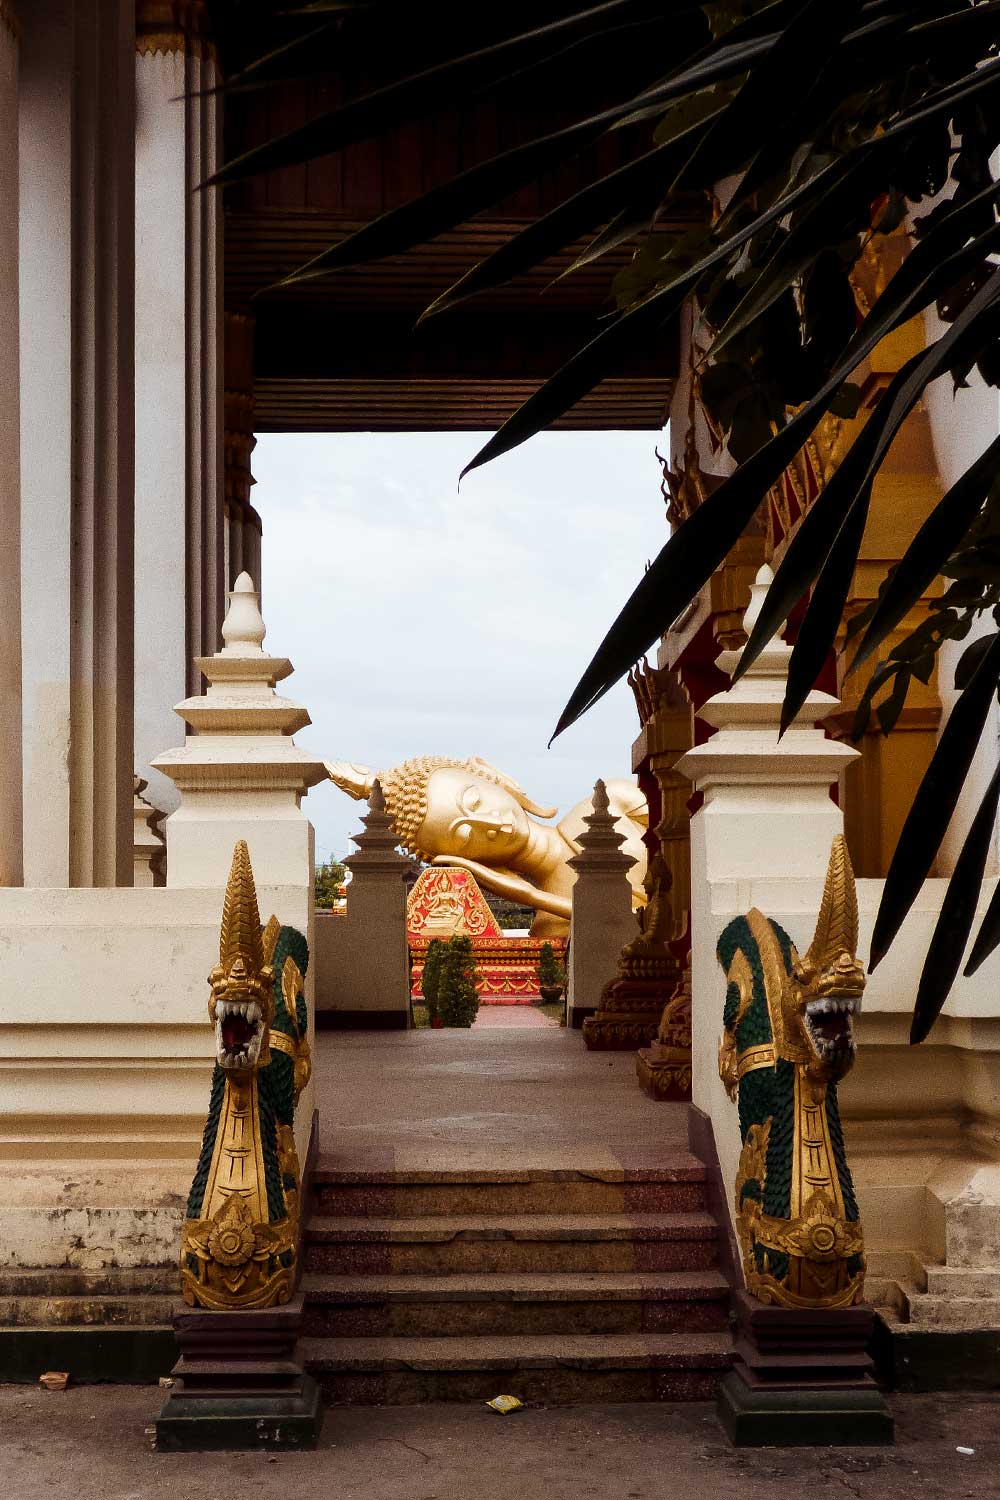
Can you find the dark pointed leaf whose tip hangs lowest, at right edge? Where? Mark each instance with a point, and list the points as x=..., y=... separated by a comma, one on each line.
x=957, y=916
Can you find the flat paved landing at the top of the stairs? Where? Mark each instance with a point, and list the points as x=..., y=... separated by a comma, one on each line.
x=491, y=1099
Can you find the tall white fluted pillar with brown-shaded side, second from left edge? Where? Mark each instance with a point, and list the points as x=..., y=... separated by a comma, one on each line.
x=77, y=164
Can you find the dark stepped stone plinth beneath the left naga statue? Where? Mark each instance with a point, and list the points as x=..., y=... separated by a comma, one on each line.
x=239, y=1382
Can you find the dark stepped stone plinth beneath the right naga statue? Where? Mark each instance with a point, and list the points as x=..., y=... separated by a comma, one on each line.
x=803, y=1376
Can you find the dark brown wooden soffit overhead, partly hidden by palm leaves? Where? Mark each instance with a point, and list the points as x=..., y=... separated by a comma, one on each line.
x=341, y=355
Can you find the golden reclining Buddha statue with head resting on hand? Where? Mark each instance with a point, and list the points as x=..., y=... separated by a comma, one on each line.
x=469, y=814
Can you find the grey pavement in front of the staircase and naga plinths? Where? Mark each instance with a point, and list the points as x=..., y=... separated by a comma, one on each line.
x=89, y=1445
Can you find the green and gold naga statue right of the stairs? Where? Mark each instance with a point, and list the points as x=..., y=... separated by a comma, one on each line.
x=788, y=1042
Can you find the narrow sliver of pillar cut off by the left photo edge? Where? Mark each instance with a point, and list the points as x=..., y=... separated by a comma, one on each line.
x=11, y=863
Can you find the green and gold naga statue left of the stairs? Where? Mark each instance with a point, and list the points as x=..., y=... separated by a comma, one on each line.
x=241, y=1238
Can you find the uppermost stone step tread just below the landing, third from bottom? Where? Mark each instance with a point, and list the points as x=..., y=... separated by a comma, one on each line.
x=573, y=1228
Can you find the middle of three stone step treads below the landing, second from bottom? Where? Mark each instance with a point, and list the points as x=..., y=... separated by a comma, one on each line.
x=612, y=1286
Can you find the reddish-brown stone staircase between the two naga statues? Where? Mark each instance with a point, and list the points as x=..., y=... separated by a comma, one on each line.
x=555, y=1286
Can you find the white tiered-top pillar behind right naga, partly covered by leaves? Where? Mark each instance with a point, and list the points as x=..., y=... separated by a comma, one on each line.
x=768, y=815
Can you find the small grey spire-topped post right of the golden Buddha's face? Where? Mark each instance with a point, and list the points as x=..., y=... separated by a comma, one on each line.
x=603, y=919
